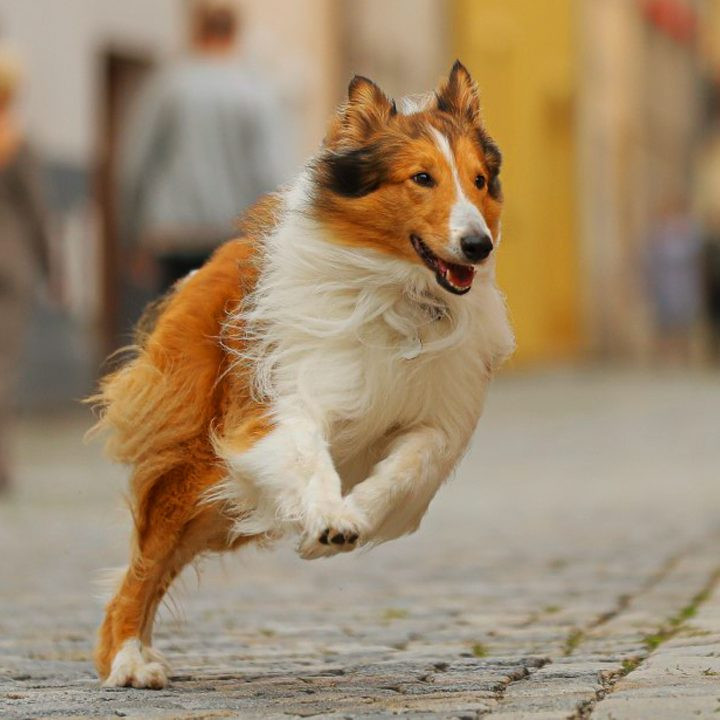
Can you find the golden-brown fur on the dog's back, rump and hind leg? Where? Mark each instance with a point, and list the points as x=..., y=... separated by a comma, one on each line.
x=160, y=407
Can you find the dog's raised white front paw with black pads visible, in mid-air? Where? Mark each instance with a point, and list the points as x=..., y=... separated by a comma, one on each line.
x=331, y=532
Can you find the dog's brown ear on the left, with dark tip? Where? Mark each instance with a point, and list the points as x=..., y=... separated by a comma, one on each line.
x=367, y=109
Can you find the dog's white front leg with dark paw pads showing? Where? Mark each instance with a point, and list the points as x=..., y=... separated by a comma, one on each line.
x=295, y=484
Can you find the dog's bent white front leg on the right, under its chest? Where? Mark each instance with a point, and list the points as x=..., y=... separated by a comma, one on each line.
x=396, y=495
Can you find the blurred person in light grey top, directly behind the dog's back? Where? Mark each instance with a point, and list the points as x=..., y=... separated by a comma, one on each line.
x=202, y=144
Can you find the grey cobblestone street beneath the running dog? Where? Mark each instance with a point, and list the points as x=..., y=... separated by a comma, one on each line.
x=569, y=570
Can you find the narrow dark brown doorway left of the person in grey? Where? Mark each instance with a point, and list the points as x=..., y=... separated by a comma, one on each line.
x=123, y=72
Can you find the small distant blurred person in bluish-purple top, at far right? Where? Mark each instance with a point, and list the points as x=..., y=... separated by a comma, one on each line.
x=674, y=279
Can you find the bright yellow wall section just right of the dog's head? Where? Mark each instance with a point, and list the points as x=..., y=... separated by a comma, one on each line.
x=522, y=54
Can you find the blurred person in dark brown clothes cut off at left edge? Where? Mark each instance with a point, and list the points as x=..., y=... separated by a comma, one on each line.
x=23, y=240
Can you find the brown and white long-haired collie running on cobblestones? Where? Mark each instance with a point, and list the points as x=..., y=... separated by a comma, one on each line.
x=322, y=374
